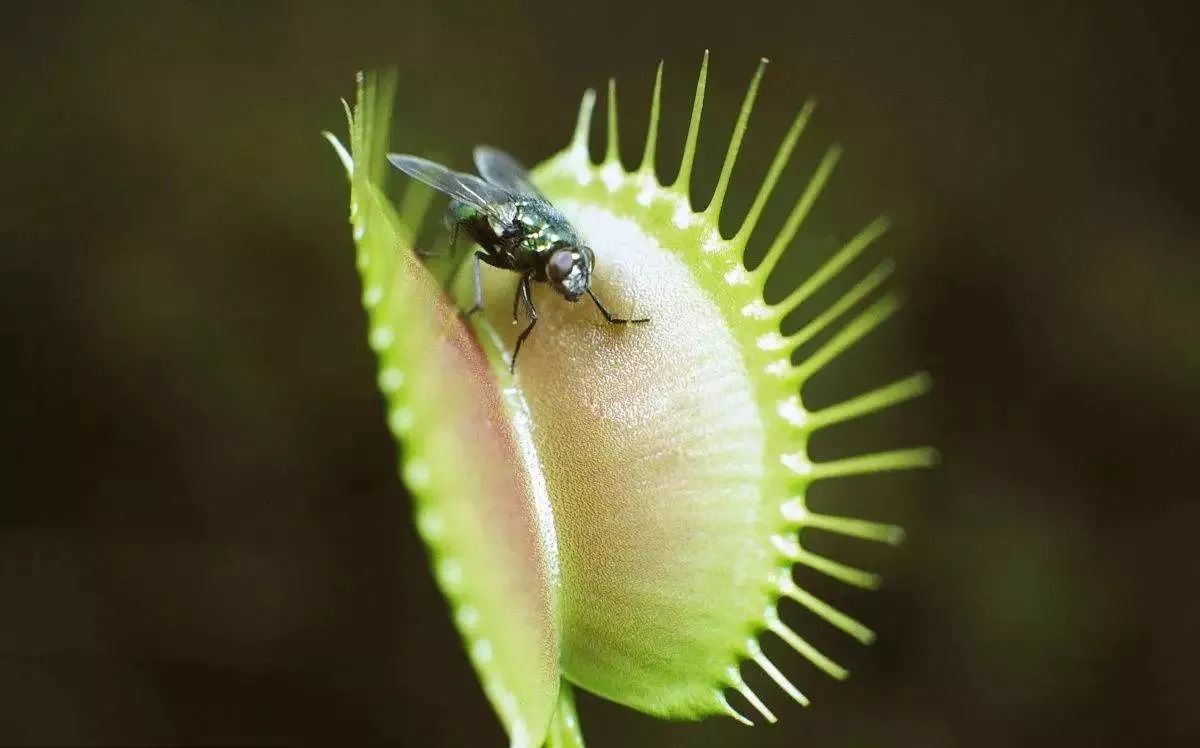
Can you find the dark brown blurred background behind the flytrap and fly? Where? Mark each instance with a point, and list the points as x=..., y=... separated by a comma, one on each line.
x=202, y=535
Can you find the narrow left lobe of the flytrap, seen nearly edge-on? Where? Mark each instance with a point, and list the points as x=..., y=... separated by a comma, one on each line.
x=482, y=502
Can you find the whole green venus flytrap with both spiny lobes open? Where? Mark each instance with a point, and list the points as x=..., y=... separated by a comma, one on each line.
x=629, y=518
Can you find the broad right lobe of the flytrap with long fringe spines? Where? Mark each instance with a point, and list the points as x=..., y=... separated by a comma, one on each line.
x=676, y=452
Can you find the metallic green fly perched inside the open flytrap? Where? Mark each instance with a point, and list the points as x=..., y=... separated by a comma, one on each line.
x=515, y=228
